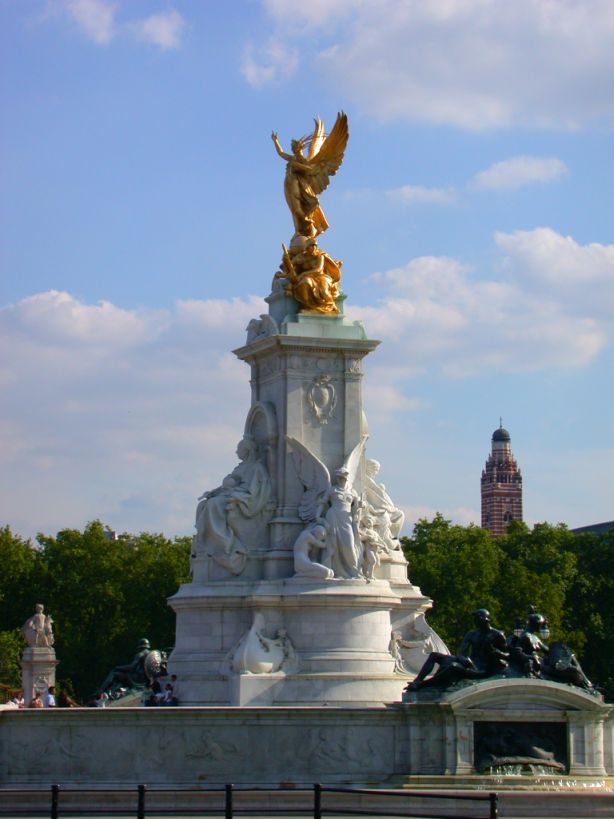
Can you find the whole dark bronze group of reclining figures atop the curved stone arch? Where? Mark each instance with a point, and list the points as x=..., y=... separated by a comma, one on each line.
x=485, y=652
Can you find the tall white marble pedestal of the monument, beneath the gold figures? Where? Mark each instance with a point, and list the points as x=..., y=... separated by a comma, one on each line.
x=306, y=386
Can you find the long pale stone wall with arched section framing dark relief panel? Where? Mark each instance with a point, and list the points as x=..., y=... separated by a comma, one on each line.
x=387, y=746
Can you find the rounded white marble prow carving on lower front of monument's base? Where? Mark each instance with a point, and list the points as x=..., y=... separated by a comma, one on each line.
x=257, y=654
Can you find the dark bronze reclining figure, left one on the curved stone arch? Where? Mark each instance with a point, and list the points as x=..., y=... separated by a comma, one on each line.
x=483, y=653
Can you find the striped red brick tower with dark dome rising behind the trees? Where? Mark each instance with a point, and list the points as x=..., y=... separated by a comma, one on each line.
x=501, y=485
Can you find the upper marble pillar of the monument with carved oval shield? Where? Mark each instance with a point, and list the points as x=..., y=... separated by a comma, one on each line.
x=310, y=375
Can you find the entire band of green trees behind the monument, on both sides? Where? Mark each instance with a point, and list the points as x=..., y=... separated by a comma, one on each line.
x=104, y=595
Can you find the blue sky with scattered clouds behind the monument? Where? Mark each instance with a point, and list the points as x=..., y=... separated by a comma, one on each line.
x=143, y=216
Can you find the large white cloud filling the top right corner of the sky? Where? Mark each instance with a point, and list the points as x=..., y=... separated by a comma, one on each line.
x=472, y=63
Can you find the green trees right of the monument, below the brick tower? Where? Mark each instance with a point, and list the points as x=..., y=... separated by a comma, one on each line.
x=568, y=577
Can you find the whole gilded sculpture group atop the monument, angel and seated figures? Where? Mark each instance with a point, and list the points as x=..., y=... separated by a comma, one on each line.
x=312, y=276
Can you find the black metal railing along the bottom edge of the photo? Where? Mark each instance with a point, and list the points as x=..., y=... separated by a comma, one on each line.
x=62, y=805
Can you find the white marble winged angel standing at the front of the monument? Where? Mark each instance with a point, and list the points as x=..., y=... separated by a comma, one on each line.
x=334, y=504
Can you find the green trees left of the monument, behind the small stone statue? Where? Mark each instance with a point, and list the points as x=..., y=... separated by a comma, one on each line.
x=103, y=595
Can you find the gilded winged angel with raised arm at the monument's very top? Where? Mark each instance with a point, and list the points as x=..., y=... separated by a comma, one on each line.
x=307, y=176
